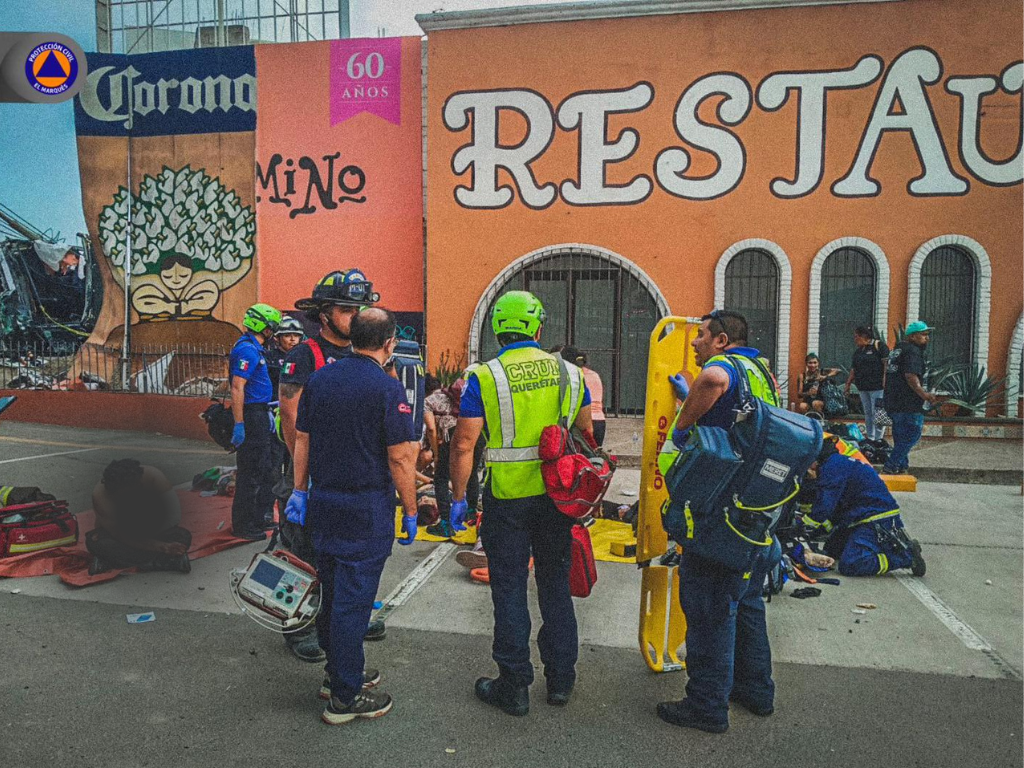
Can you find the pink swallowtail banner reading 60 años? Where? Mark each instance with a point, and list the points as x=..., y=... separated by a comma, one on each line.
x=366, y=76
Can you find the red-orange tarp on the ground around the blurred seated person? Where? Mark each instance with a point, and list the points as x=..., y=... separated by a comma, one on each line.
x=202, y=516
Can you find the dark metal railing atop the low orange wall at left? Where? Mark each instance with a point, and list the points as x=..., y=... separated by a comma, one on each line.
x=189, y=370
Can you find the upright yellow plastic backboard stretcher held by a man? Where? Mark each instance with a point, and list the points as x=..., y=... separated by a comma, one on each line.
x=663, y=626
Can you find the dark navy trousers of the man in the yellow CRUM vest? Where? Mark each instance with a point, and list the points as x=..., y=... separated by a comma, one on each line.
x=517, y=530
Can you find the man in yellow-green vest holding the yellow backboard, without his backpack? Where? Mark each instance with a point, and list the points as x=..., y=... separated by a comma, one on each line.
x=728, y=653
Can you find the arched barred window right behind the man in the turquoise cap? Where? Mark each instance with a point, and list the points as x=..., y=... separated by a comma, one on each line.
x=949, y=296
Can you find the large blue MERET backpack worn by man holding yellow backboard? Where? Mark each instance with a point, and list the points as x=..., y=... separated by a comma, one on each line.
x=729, y=488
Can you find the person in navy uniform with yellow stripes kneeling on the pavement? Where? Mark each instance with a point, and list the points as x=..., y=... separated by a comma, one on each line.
x=854, y=505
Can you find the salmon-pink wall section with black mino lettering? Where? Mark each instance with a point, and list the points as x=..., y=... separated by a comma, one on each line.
x=382, y=236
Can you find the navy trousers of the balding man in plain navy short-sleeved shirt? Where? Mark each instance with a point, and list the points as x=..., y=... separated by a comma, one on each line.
x=349, y=588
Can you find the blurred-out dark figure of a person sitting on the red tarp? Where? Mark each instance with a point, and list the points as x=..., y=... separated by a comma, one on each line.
x=138, y=517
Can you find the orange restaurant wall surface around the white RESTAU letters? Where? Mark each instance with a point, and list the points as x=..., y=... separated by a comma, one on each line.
x=679, y=242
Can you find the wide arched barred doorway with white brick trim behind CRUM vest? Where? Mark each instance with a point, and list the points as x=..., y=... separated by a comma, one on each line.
x=596, y=302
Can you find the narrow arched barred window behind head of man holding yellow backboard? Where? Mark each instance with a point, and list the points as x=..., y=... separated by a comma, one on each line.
x=752, y=280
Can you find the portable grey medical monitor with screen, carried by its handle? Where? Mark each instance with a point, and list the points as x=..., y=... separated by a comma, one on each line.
x=278, y=591
